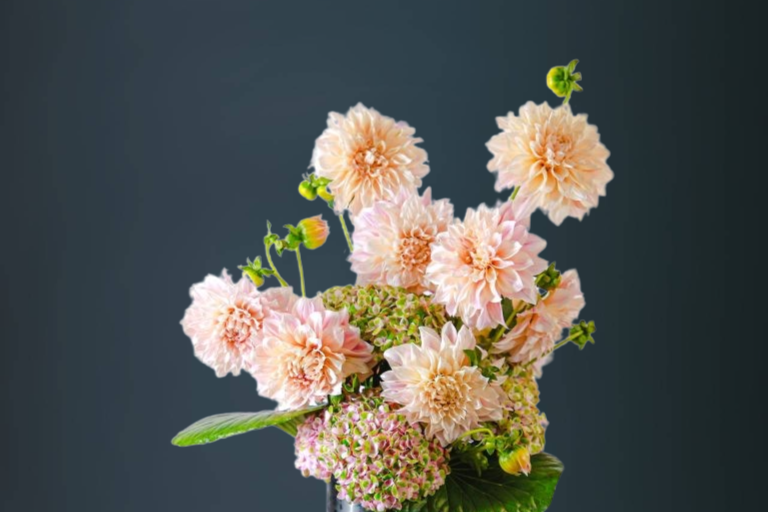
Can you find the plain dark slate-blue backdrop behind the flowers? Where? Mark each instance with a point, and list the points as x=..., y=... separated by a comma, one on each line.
x=144, y=145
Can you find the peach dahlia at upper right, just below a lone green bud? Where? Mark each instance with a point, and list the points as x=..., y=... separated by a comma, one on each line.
x=555, y=157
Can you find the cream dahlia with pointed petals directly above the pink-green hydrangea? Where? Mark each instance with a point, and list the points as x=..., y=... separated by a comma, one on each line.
x=436, y=386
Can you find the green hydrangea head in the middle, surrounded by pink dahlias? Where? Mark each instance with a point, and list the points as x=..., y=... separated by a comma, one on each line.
x=386, y=316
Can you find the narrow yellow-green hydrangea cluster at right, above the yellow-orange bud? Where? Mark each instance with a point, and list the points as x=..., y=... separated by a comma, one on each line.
x=524, y=423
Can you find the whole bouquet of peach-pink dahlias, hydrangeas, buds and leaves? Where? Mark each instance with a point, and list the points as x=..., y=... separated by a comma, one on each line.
x=416, y=388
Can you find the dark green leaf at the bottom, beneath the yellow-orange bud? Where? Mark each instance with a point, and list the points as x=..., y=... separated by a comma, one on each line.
x=495, y=490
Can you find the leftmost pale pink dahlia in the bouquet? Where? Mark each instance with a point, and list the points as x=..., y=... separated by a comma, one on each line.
x=225, y=320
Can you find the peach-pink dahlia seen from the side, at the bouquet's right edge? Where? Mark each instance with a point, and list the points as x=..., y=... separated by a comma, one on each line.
x=537, y=329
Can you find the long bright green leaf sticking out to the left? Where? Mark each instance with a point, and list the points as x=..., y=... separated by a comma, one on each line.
x=220, y=426
